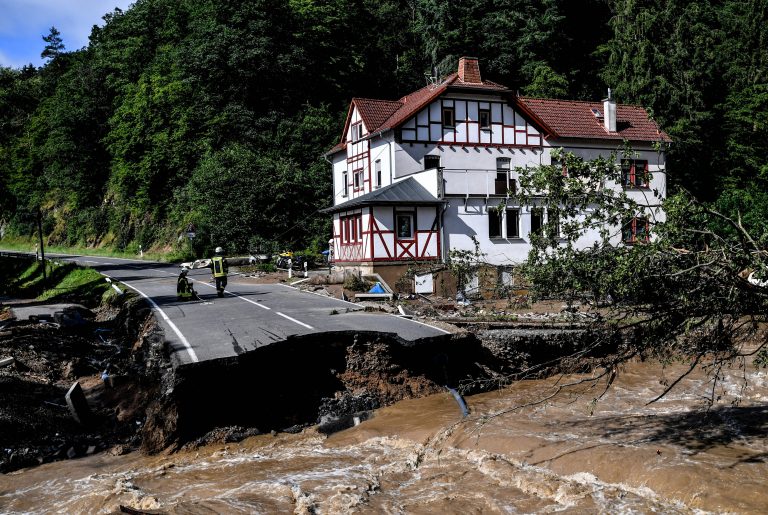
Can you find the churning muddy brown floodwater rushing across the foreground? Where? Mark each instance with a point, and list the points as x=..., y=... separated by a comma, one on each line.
x=417, y=456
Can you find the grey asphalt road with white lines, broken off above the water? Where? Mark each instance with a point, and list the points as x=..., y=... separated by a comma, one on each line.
x=247, y=317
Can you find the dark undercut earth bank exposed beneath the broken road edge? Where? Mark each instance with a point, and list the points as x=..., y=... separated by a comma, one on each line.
x=304, y=380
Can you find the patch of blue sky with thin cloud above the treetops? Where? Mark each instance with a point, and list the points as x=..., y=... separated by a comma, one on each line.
x=23, y=23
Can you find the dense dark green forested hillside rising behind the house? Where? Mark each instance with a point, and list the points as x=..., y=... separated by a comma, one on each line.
x=217, y=113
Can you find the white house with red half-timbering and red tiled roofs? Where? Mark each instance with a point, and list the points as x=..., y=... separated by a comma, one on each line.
x=421, y=176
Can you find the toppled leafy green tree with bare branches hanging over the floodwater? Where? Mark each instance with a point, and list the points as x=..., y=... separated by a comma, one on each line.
x=691, y=287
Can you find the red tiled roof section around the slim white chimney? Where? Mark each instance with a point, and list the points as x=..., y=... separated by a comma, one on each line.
x=575, y=119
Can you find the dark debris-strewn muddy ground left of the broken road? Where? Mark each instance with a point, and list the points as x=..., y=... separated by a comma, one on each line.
x=36, y=423
